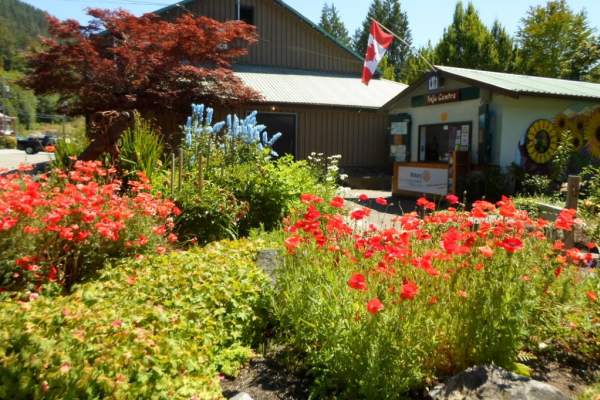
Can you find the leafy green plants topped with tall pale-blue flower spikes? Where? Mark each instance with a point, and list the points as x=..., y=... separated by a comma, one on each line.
x=231, y=185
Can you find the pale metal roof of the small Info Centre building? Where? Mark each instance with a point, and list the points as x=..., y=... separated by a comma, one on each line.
x=525, y=84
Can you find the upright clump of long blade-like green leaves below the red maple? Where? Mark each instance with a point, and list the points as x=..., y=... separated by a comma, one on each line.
x=141, y=149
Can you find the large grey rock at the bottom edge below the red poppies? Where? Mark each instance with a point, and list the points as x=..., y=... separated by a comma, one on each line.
x=491, y=382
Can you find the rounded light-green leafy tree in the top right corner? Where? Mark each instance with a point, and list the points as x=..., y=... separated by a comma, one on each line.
x=557, y=42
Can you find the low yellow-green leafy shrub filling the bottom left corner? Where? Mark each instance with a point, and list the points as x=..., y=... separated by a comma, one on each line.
x=159, y=328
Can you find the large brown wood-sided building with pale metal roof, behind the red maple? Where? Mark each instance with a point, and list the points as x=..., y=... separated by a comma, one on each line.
x=310, y=82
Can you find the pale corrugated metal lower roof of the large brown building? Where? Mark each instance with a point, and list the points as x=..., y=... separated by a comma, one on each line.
x=314, y=88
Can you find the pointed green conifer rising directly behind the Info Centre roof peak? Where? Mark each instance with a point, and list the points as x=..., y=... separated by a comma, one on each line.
x=467, y=42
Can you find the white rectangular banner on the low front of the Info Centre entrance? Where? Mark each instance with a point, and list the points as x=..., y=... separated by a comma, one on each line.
x=423, y=180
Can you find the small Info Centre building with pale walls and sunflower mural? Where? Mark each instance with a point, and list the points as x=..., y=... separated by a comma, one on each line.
x=454, y=120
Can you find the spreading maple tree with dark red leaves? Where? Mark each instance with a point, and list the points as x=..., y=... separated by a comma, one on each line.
x=122, y=62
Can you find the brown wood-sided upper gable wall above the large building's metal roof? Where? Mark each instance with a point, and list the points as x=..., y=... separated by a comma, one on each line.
x=284, y=39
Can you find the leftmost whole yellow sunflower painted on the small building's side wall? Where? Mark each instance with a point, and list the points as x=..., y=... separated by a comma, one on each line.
x=541, y=141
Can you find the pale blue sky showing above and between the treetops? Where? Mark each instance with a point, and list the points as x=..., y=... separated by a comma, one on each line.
x=427, y=18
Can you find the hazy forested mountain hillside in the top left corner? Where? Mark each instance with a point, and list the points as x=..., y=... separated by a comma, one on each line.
x=20, y=26
